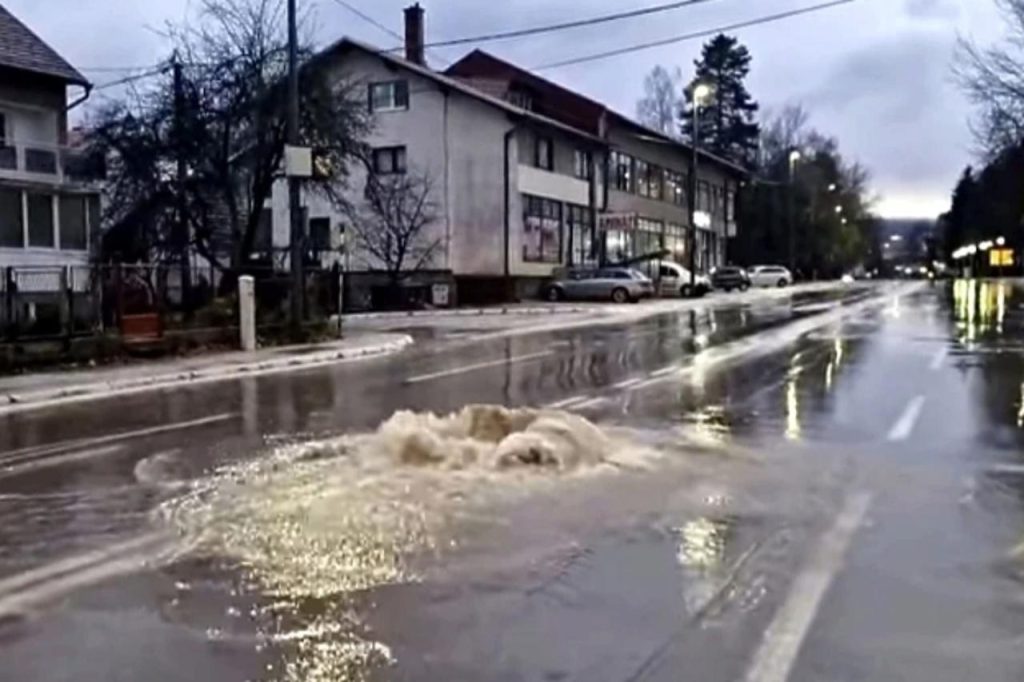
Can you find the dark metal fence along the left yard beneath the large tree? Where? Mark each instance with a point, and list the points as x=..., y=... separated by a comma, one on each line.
x=149, y=304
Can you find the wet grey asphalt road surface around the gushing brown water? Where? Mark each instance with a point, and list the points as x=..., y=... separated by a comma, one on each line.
x=846, y=504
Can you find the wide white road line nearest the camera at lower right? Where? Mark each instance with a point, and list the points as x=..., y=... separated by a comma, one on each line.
x=774, y=661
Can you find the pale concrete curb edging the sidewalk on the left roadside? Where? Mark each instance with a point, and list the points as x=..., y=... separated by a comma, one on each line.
x=17, y=402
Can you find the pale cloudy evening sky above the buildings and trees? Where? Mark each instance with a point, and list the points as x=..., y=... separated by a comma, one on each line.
x=874, y=73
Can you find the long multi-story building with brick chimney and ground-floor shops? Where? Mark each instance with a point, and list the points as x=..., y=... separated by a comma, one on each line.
x=519, y=168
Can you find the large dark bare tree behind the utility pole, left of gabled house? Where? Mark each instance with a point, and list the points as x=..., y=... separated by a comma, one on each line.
x=231, y=135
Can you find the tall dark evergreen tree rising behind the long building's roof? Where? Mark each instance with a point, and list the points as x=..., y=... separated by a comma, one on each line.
x=728, y=124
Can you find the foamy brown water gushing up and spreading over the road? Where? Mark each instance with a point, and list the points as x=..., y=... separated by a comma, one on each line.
x=315, y=524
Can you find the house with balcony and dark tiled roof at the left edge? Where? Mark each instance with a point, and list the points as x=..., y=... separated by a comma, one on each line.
x=49, y=217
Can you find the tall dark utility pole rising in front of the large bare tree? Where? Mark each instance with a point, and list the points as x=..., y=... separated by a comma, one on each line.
x=297, y=232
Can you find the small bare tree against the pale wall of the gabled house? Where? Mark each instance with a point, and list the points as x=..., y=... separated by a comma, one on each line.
x=392, y=227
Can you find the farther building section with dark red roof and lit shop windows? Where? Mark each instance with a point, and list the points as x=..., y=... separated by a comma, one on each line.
x=647, y=204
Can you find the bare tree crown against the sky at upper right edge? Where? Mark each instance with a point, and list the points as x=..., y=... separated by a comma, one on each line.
x=994, y=81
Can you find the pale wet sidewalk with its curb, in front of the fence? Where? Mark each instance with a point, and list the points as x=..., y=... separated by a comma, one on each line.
x=28, y=392
